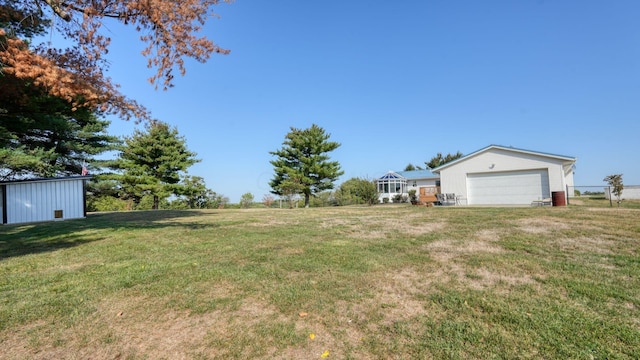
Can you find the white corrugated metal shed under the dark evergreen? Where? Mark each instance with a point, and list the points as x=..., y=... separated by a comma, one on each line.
x=24, y=201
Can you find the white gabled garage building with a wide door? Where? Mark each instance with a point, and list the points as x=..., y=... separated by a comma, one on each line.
x=500, y=175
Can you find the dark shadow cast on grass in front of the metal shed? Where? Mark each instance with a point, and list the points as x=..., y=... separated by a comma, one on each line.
x=25, y=239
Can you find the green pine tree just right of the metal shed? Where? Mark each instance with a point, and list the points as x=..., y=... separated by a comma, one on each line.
x=153, y=162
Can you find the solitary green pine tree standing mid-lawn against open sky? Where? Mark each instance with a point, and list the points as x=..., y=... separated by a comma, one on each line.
x=302, y=164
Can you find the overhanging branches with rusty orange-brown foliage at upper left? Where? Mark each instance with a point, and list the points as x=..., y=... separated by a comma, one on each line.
x=168, y=28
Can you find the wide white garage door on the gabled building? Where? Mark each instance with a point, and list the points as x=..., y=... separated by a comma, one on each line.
x=508, y=188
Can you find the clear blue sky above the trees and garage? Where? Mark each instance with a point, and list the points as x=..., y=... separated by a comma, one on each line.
x=397, y=82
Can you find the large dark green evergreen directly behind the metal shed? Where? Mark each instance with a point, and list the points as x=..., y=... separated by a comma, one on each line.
x=42, y=136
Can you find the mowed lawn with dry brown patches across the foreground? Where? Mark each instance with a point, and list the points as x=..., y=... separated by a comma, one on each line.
x=382, y=282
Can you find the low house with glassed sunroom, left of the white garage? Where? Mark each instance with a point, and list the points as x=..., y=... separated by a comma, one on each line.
x=400, y=183
